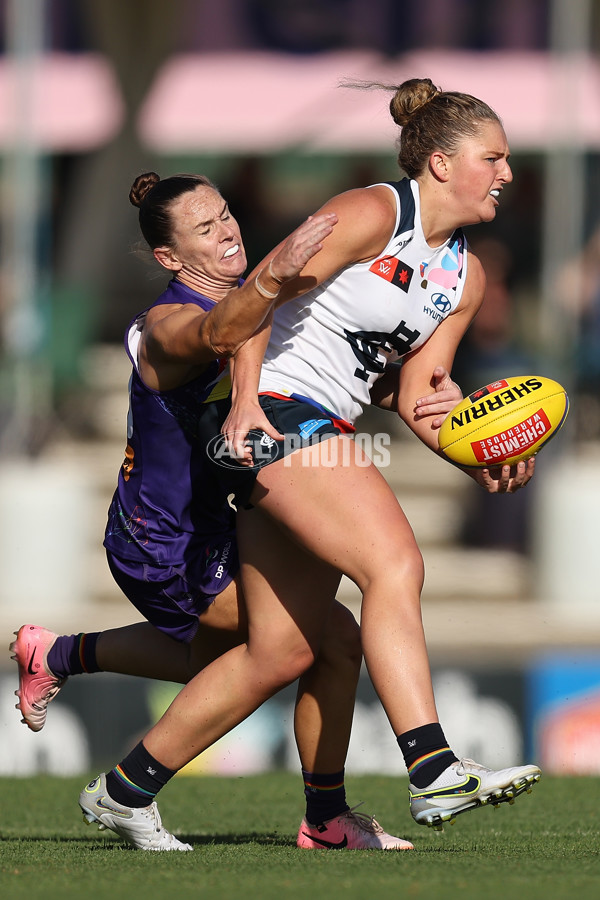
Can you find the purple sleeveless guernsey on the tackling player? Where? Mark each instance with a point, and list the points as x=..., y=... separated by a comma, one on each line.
x=166, y=502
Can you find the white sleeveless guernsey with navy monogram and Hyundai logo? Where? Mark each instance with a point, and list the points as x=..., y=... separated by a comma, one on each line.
x=332, y=343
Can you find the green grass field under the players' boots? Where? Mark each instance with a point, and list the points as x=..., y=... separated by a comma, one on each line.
x=546, y=846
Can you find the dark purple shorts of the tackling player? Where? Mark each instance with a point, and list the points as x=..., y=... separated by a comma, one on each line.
x=172, y=597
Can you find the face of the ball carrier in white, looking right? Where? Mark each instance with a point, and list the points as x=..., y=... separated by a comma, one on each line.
x=480, y=170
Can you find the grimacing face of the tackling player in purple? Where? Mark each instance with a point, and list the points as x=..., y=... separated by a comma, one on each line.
x=207, y=237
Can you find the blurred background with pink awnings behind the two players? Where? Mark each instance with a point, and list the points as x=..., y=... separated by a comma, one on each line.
x=93, y=92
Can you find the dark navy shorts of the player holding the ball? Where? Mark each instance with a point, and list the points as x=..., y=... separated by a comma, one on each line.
x=302, y=424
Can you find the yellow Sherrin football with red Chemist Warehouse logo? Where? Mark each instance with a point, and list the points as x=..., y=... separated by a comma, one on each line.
x=504, y=422
